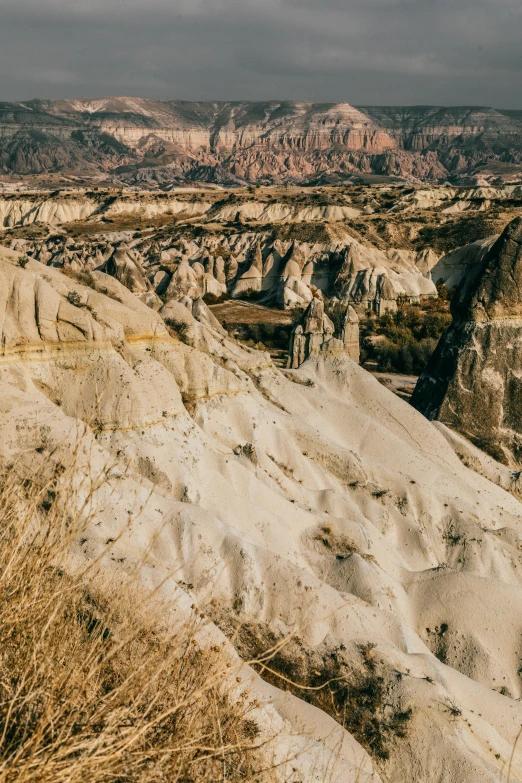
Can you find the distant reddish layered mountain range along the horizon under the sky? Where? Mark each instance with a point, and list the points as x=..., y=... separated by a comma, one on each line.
x=164, y=143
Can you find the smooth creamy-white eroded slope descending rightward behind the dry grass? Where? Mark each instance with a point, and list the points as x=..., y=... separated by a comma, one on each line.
x=312, y=501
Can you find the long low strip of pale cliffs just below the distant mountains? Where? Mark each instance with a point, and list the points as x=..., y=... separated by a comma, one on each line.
x=262, y=207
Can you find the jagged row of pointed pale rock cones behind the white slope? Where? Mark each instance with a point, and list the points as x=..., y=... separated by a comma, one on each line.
x=242, y=263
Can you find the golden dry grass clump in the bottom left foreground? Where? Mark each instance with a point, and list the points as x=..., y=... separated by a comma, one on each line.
x=92, y=687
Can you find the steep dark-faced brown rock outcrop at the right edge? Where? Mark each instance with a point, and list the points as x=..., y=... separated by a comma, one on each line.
x=473, y=381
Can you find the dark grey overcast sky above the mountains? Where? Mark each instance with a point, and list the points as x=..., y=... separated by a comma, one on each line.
x=360, y=51
